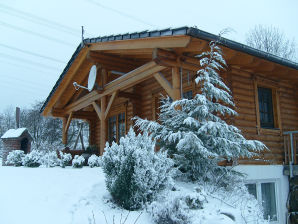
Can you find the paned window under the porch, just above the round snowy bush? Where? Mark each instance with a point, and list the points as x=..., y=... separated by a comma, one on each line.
x=116, y=127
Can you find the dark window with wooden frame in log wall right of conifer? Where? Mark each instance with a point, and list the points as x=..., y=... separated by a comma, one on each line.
x=267, y=106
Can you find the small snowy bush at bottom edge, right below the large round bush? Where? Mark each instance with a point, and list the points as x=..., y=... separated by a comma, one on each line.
x=172, y=211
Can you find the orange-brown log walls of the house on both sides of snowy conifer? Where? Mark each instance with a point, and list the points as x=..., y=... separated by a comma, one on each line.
x=243, y=91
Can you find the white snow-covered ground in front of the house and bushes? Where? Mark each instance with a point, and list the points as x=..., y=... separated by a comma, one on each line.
x=70, y=196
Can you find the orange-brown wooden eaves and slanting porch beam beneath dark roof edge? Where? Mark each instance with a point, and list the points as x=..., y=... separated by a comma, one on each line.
x=141, y=59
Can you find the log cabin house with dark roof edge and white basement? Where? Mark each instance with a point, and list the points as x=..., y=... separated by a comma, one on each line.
x=133, y=70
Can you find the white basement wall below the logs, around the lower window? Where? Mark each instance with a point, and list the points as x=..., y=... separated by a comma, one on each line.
x=273, y=173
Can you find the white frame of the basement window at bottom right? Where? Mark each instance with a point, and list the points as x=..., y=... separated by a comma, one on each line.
x=259, y=194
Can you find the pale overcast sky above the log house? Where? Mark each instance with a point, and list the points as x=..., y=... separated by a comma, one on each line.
x=38, y=37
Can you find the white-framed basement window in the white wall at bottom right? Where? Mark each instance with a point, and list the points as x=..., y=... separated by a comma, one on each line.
x=265, y=193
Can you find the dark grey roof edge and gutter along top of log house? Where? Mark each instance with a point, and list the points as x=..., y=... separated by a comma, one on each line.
x=189, y=31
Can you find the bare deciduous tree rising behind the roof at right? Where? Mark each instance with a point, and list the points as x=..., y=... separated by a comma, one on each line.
x=271, y=40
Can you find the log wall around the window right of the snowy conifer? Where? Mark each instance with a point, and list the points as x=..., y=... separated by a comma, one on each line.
x=242, y=85
